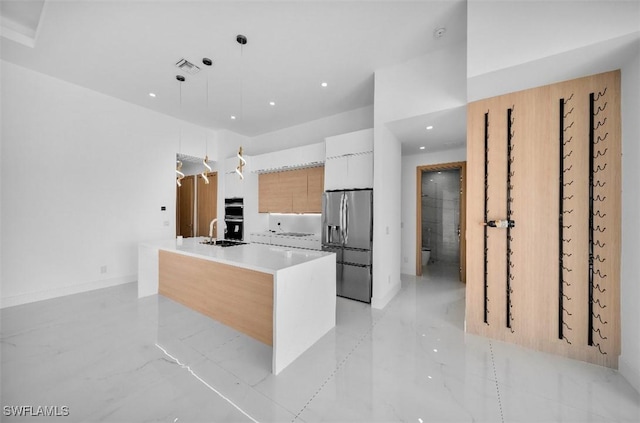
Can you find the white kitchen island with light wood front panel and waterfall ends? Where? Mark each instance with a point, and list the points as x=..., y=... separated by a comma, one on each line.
x=282, y=297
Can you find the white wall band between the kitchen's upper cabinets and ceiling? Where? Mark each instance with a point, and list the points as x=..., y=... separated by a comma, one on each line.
x=312, y=132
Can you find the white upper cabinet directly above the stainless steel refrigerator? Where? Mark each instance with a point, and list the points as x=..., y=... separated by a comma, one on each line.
x=349, y=161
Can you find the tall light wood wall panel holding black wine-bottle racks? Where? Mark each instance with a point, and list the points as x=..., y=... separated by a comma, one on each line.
x=536, y=209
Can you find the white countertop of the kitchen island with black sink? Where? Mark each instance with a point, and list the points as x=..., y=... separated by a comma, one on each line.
x=259, y=257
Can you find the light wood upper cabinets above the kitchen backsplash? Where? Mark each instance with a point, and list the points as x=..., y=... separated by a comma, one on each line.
x=291, y=191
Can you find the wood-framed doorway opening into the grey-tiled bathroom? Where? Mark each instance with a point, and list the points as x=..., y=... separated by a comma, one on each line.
x=441, y=216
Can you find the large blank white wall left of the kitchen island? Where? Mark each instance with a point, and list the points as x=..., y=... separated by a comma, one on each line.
x=83, y=179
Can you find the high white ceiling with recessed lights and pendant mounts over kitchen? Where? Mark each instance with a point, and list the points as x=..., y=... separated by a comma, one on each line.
x=127, y=49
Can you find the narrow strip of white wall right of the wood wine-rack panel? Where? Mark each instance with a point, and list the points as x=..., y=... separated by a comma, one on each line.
x=629, y=364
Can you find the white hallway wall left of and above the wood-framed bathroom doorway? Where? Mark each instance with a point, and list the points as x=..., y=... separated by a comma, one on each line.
x=409, y=229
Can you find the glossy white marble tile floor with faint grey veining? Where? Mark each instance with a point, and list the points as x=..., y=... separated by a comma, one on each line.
x=110, y=357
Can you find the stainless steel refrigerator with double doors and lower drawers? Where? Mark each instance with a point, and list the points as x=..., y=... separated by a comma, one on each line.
x=347, y=230
